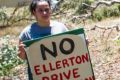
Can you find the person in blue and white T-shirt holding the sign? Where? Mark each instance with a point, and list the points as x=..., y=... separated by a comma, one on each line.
x=44, y=26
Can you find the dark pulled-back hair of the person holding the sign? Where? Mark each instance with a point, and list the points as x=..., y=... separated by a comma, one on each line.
x=33, y=4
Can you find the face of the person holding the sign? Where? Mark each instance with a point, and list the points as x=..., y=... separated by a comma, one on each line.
x=42, y=12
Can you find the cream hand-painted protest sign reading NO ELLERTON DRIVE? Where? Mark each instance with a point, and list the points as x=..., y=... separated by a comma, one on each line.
x=61, y=57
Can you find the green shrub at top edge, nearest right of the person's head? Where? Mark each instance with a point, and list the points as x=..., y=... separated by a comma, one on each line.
x=76, y=5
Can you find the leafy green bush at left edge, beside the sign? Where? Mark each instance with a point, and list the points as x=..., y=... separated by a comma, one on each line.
x=8, y=56
